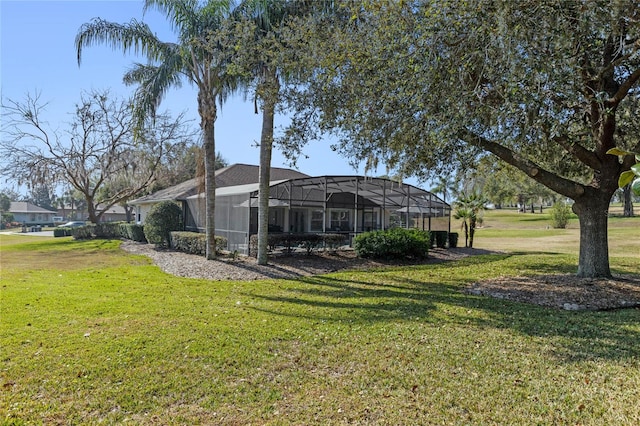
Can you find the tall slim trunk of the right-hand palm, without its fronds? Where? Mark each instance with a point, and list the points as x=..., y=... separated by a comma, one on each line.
x=270, y=93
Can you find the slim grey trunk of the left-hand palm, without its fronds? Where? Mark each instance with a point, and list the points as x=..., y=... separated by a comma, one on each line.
x=208, y=111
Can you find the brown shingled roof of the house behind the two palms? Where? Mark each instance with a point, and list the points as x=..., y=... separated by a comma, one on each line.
x=234, y=175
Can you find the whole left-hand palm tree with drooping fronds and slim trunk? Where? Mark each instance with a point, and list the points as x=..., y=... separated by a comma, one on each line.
x=198, y=56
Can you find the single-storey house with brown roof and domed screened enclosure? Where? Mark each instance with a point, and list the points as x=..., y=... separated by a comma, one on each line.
x=300, y=203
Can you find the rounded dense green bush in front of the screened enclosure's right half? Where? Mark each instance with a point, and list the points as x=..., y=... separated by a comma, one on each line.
x=396, y=243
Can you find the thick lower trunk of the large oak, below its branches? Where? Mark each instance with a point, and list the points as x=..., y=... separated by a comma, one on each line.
x=593, y=215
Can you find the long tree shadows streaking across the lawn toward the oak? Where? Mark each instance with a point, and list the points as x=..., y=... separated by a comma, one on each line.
x=424, y=293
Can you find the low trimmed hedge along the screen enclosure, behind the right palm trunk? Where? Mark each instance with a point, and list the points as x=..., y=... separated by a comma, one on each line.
x=288, y=242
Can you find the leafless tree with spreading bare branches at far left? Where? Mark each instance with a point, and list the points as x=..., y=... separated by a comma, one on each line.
x=96, y=153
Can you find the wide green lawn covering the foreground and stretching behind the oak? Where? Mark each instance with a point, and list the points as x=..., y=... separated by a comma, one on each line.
x=92, y=335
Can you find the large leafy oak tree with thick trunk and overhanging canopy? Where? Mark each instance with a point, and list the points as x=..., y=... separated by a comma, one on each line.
x=547, y=86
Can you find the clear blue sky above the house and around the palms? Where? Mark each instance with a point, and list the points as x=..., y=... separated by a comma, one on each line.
x=37, y=55
